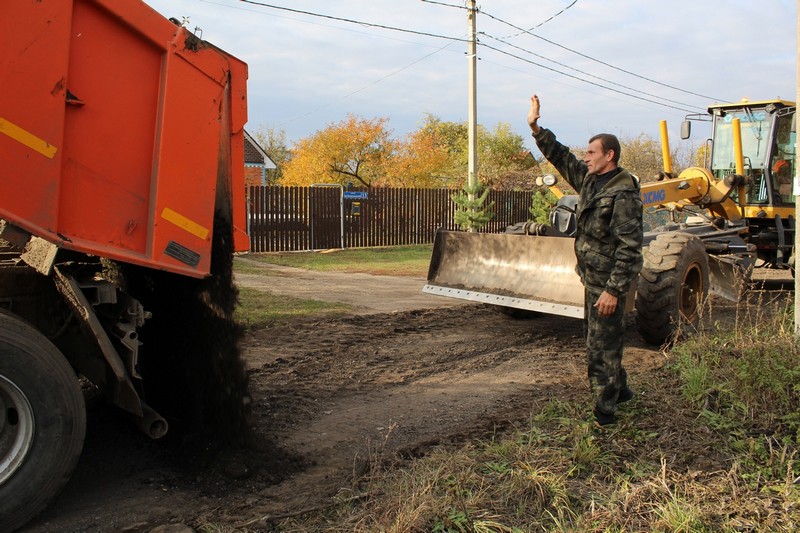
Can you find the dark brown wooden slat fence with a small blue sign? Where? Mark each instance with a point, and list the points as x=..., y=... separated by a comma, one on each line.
x=323, y=217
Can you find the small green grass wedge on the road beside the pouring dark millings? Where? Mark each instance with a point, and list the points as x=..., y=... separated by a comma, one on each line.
x=259, y=309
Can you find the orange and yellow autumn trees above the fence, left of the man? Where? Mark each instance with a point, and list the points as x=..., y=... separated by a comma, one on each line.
x=362, y=153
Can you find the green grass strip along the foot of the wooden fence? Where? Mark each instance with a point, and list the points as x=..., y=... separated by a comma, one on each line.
x=391, y=260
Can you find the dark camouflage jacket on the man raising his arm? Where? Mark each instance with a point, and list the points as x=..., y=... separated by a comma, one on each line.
x=608, y=243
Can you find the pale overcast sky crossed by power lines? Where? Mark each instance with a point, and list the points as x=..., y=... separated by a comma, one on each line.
x=618, y=66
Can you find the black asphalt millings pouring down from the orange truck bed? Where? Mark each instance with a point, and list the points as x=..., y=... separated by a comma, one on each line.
x=190, y=360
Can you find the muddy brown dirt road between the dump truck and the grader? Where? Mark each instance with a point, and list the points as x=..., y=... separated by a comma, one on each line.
x=331, y=396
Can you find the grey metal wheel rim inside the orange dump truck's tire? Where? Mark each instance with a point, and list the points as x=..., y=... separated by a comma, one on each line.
x=16, y=428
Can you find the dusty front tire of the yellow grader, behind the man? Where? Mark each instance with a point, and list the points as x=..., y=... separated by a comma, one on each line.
x=672, y=287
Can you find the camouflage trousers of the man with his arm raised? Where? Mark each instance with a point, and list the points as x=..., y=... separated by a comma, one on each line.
x=604, y=344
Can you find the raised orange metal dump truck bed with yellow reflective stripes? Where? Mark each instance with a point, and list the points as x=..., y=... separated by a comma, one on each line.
x=120, y=132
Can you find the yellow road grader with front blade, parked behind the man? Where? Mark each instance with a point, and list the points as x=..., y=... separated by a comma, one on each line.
x=733, y=214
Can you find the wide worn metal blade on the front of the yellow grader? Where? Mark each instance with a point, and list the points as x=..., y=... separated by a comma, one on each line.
x=519, y=271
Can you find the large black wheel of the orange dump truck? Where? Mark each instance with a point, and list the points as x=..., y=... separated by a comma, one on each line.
x=42, y=421
